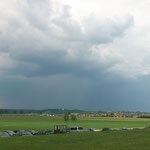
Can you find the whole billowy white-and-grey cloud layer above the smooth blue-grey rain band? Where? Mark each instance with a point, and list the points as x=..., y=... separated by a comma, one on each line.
x=113, y=35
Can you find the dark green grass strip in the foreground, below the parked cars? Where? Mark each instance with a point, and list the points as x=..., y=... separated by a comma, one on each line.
x=108, y=140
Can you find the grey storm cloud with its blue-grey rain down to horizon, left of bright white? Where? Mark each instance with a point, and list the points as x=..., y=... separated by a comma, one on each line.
x=50, y=60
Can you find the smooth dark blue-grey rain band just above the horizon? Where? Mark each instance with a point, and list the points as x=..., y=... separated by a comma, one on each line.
x=66, y=91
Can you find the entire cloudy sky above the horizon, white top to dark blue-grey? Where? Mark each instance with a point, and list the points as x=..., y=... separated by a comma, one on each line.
x=73, y=54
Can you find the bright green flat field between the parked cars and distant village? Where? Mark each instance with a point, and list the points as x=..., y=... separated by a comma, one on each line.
x=14, y=122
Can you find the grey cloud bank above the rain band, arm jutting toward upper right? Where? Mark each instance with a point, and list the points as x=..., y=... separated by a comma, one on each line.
x=43, y=38
